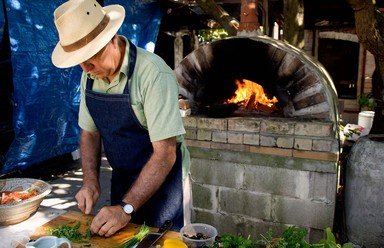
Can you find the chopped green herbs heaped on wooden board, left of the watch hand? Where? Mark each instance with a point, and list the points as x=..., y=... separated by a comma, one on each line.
x=71, y=232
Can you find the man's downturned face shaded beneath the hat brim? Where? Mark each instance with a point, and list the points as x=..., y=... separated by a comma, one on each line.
x=102, y=64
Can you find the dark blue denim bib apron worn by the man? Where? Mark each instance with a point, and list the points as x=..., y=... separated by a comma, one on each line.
x=128, y=147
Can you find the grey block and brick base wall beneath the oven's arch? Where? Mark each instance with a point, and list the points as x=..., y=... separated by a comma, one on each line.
x=251, y=174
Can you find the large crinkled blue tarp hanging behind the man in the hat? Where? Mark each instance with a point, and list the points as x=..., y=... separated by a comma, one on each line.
x=46, y=99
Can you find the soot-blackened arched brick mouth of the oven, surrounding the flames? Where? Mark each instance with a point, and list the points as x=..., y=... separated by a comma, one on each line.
x=207, y=77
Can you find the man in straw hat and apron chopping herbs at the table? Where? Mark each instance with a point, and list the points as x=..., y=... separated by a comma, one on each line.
x=129, y=105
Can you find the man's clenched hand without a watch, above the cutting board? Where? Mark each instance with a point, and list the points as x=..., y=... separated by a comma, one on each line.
x=87, y=197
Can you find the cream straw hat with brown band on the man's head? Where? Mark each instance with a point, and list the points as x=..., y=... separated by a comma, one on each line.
x=84, y=28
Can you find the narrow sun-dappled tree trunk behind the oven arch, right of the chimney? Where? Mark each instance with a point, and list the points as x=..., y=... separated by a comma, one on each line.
x=294, y=22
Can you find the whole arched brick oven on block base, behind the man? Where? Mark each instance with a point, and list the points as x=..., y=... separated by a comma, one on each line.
x=258, y=170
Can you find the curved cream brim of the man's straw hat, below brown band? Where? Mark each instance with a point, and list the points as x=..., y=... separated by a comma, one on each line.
x=62, y=59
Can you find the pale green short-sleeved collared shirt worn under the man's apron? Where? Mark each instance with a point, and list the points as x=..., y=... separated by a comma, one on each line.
x=154, y=92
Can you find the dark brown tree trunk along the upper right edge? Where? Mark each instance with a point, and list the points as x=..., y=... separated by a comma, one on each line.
x=369, y=24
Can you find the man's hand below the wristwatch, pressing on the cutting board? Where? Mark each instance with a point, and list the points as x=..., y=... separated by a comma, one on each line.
x=109, y=220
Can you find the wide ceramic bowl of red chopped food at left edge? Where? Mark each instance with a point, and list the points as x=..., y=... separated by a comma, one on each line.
x=19, y=211
